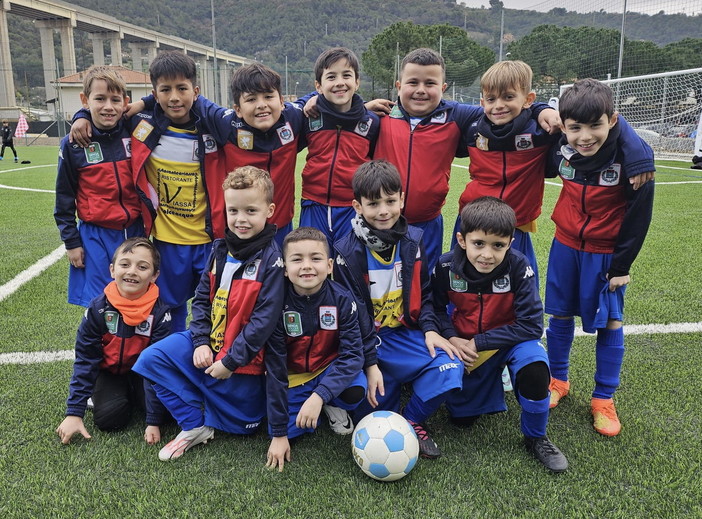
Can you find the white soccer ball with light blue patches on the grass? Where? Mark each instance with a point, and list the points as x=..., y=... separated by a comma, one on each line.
x=385, y=446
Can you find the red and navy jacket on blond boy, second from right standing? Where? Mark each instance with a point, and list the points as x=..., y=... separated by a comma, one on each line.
x=508, y=163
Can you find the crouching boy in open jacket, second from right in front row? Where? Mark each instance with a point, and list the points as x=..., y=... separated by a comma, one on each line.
x=382, y=262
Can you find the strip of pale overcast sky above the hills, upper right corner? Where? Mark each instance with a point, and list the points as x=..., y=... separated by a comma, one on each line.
x=689, y=7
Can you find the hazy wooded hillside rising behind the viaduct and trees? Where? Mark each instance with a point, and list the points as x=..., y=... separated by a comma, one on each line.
x=300, y=29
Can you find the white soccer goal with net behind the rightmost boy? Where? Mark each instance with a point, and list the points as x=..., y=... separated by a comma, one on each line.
x=664, y=109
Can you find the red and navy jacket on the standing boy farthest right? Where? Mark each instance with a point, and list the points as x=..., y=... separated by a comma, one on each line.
x=599, y=211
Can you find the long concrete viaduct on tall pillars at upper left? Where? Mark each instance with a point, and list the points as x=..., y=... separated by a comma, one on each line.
x=50, y=16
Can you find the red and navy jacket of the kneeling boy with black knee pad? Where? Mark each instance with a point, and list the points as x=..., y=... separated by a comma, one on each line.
x=498, y=311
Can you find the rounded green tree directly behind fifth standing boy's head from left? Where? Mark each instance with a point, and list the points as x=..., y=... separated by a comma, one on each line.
x=465, y=59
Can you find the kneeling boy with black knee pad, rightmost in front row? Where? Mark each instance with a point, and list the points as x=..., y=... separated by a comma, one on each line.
x=496, y=319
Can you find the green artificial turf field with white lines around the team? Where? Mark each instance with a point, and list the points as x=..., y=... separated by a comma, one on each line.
x=652, y=469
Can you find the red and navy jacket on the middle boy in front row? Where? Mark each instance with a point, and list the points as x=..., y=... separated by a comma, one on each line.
x=317, y=330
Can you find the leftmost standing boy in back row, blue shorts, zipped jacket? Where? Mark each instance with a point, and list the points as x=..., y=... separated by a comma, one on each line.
x=96, y=183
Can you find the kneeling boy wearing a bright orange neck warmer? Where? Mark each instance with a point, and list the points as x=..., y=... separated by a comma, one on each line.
x=117, y=326
